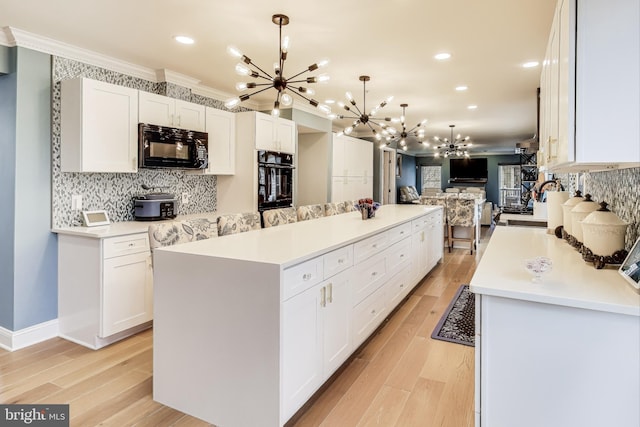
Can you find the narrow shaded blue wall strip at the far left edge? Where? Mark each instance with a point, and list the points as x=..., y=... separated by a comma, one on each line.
x=8, y=95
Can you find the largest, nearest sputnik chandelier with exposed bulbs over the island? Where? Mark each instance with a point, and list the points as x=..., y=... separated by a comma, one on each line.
x=278, y=81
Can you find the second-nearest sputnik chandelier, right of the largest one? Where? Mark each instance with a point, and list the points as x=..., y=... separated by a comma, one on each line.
x=362, y=118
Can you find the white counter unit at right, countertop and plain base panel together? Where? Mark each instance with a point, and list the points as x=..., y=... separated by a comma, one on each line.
x=564, y=351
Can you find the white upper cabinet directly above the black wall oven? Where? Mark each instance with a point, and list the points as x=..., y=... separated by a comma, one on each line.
x=274, y=133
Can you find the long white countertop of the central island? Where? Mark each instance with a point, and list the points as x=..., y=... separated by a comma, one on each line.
x=290, y=244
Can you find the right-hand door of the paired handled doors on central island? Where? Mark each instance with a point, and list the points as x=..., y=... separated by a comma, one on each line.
x=336, y=315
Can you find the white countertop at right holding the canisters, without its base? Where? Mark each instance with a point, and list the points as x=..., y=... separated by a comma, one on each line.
x=572, y=282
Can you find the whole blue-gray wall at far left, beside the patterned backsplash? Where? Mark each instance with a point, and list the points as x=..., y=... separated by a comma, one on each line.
x=29, y=278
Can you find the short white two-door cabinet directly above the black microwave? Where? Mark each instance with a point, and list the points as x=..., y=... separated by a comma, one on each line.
x=162, y=110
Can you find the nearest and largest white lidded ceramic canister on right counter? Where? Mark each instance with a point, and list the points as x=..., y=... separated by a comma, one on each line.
x=603, y=232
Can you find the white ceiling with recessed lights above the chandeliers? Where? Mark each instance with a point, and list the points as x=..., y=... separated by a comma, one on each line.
x=392, y=41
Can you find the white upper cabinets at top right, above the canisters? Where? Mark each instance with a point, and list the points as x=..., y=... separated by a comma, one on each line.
x=589, y=87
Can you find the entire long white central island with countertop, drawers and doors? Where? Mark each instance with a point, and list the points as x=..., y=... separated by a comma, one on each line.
x=248, y=326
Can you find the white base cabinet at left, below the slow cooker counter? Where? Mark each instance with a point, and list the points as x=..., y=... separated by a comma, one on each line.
x=104, y=288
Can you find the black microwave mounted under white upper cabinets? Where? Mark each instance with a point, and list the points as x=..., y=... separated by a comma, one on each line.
x=166, y=147
